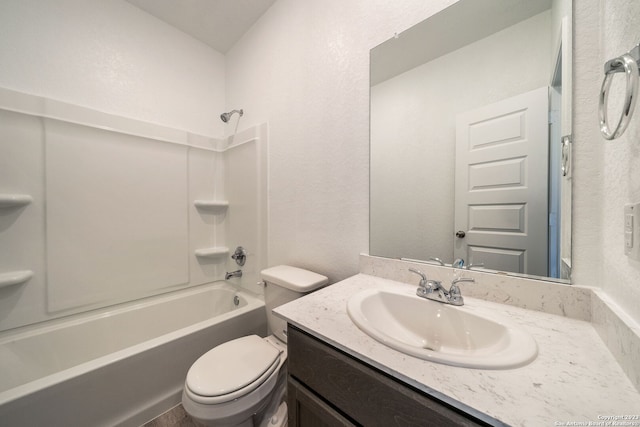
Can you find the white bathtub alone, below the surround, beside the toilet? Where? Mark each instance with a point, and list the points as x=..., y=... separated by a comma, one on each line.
x=118, y=367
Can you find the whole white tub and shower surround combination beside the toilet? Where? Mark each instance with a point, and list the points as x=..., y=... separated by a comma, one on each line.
x=126, y=265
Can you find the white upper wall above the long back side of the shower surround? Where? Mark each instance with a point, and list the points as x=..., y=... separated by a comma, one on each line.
x=111, y=56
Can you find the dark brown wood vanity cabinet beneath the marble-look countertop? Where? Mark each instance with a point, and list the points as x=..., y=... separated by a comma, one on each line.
x=327, y=387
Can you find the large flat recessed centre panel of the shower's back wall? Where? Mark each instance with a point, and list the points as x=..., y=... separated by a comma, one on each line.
x=116, y=219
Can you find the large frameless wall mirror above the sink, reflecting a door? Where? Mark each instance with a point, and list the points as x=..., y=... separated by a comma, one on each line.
x=470, y=139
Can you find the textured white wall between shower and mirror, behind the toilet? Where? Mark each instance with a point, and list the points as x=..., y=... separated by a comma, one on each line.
x=304, y=68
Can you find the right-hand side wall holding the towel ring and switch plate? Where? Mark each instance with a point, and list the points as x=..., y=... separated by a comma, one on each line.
x=620, y=21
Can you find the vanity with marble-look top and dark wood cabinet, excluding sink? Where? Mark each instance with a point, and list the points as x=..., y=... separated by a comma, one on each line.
x=338, y=375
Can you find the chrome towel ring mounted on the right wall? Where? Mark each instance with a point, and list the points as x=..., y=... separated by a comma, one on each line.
x=627, y=64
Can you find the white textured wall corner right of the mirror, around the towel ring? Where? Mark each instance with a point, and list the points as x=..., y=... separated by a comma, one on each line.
x=608, y=170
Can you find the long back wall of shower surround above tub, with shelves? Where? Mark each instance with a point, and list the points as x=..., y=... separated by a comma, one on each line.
x=111, y=214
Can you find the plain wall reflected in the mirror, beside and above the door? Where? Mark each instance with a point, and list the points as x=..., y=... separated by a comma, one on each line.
x=413, y=133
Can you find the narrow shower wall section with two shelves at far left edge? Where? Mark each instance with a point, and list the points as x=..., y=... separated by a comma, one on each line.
x=22, y=228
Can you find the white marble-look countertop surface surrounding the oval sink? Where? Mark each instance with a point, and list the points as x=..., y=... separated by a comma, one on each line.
x=574, y=379
